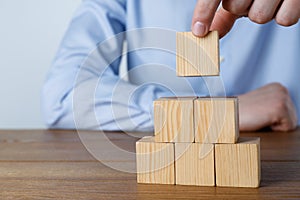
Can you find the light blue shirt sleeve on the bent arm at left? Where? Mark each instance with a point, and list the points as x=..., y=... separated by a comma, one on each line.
x=83, y=89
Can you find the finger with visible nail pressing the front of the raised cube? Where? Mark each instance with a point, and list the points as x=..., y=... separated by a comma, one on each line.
x=203, y=16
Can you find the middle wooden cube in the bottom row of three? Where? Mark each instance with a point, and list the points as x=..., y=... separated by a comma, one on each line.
x=194, y=164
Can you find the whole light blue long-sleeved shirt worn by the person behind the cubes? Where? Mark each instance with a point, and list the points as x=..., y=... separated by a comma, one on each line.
x=84, y=90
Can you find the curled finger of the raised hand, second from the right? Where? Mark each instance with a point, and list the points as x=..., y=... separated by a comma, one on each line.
x=263, y=11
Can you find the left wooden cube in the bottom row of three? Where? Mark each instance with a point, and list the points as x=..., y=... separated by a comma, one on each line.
x=155, y=162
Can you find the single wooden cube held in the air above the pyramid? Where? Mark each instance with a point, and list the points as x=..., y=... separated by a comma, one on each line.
x=197, y=56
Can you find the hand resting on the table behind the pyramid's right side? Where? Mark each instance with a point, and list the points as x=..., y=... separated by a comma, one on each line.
x=269, y=106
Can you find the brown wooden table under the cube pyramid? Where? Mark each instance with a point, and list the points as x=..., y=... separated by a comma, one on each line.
x=46, y=164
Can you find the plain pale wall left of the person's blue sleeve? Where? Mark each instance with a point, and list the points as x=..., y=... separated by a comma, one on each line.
x=30, y=32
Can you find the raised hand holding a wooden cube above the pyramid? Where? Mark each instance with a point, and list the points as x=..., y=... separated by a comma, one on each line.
x=206, y=17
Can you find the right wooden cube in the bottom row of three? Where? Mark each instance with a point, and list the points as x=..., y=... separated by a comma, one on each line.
x=238, y=165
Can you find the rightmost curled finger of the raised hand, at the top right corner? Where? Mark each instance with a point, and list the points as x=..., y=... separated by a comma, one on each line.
x=289, y=13
